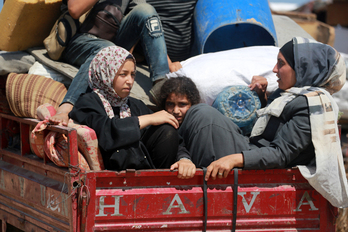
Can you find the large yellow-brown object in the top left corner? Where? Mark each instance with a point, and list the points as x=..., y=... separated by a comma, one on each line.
x=26, y=23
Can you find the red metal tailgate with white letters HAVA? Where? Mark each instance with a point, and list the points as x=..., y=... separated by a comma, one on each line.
x=271, y=200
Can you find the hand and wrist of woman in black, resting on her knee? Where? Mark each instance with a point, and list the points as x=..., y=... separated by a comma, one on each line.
x=158, y=118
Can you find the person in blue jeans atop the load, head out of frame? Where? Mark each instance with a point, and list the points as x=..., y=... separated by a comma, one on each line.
x=141, y=24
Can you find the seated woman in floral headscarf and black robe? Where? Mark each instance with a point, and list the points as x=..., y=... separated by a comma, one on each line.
x=129, y=134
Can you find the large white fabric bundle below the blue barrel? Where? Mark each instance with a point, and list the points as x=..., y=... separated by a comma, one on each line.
x=212, y=72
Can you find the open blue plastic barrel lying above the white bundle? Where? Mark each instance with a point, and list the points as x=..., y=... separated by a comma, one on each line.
x=227, y=24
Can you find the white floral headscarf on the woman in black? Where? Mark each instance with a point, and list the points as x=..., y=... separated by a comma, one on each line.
x=102, y=72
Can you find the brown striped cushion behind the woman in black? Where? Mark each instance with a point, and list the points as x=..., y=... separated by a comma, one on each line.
x=26, y=92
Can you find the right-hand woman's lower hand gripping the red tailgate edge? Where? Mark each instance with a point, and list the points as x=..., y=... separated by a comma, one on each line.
x=224, y=165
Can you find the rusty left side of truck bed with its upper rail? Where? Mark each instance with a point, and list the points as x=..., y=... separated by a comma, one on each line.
x=35, y=194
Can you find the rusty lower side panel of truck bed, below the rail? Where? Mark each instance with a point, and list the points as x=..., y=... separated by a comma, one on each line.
x=34, y=199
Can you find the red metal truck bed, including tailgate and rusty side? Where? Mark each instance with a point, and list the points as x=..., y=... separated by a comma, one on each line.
x=36, y=195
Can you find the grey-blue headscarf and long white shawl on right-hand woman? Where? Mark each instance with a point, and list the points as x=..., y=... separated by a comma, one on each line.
x=320, y=71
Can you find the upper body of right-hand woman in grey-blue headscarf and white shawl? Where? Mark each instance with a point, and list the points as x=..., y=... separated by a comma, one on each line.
x=299, y=127
